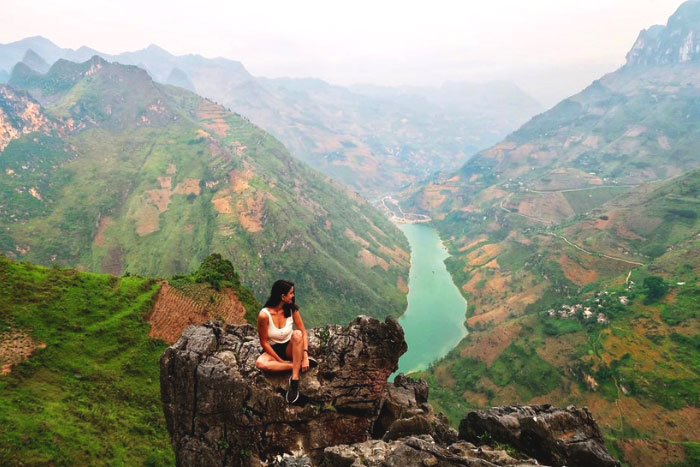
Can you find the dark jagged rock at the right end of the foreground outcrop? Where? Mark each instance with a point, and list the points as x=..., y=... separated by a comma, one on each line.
x=551, y=435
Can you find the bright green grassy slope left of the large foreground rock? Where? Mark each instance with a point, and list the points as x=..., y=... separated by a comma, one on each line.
x=91, y=397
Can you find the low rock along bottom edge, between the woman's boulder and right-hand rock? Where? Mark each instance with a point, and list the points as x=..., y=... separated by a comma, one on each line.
x=414, y=451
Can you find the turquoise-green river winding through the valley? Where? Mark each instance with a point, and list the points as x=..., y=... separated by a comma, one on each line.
x=434, y=319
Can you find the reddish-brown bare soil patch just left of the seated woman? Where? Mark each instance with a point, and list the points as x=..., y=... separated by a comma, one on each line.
x=174, y=310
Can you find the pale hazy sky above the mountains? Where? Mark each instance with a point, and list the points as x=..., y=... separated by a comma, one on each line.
x=546, y=46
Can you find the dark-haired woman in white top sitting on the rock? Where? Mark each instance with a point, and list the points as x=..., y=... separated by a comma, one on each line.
x=284, y=348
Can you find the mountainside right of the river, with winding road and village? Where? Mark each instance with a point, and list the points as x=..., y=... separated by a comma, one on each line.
x=563, y=237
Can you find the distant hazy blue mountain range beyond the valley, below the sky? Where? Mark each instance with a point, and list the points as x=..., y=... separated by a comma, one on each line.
x=373, y=139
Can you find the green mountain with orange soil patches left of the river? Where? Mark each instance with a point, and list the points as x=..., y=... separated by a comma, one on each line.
x=116, y=173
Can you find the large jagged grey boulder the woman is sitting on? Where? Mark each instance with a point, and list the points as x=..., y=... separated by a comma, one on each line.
x=221, y=410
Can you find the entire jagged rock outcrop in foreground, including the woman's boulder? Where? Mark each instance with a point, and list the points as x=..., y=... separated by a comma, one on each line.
x=221, y=410
